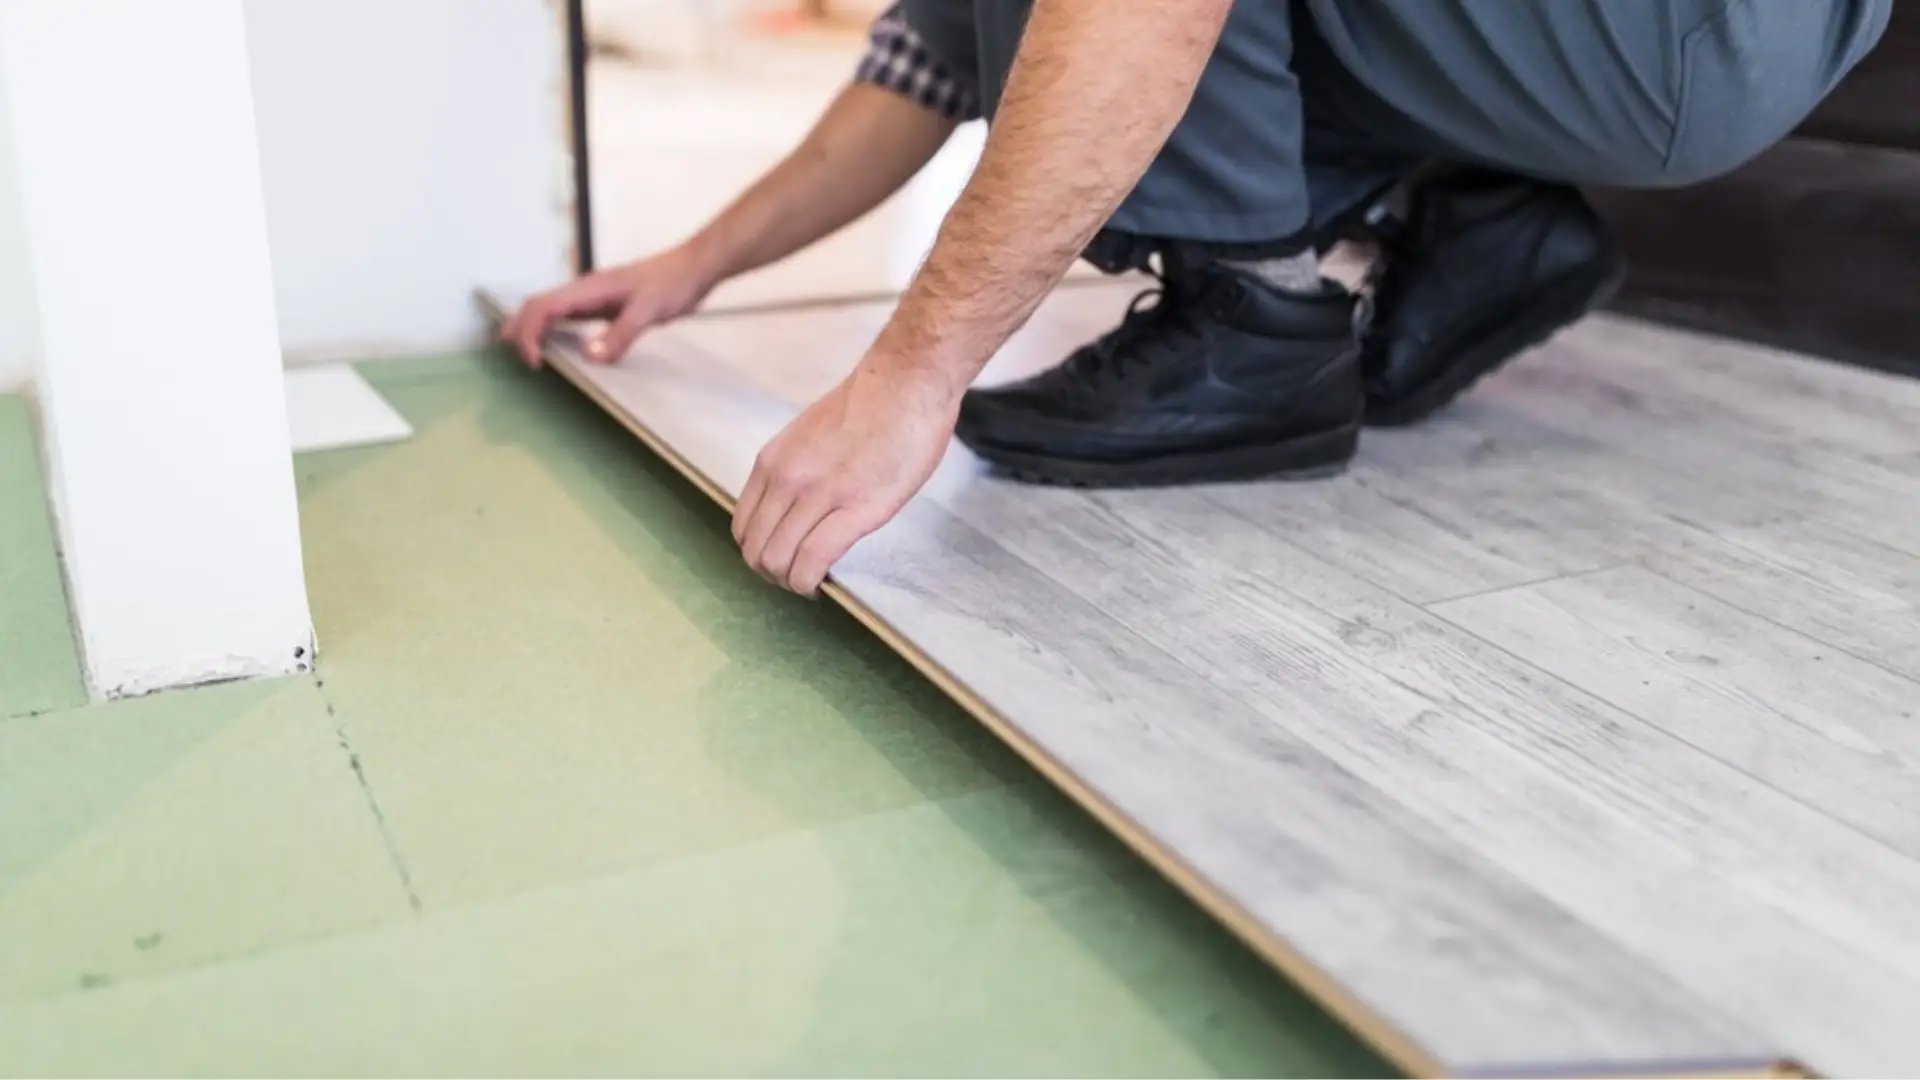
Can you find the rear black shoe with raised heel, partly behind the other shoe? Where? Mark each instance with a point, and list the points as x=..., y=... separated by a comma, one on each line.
x=1485, y=268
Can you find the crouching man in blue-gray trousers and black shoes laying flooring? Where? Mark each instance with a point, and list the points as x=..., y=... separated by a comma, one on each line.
x=1230, y=143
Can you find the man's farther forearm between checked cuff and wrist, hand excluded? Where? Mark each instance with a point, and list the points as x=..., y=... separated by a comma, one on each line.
x=865, y=147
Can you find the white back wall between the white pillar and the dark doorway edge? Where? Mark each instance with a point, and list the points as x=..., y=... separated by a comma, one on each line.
x=412, y=151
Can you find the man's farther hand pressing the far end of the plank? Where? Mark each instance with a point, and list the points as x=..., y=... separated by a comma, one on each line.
x=635, y=297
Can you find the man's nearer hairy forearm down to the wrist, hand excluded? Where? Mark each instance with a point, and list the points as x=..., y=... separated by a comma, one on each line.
x=1092, y=99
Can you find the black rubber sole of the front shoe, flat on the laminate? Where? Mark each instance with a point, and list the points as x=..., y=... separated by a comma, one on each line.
x=1308, y=458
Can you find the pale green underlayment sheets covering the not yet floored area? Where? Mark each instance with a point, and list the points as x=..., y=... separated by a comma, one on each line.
x=573, y=793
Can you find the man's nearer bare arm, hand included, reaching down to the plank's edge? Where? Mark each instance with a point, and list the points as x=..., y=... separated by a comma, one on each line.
x=1093, y=97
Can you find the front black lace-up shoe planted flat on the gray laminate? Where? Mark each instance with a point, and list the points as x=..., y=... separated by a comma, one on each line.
x=1220, y=378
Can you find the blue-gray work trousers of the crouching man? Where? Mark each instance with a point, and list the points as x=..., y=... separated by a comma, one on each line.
x=1616, y=93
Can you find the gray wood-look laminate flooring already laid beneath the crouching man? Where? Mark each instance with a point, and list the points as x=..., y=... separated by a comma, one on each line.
x=1573, y=731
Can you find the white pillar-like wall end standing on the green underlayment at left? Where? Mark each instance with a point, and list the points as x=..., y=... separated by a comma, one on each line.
x=158, y=366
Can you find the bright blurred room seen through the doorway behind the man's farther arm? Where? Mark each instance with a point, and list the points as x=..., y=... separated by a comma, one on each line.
x=690, y=101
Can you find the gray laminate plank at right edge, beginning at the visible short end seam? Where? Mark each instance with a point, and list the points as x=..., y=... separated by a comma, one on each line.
x=1808, y=720
